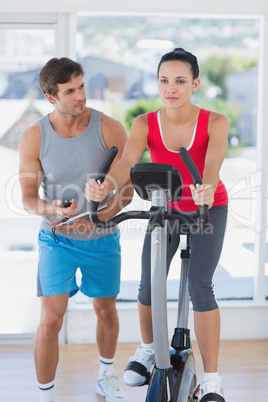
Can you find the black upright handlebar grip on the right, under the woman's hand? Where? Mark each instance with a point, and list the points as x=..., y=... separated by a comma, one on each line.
x=203, y=209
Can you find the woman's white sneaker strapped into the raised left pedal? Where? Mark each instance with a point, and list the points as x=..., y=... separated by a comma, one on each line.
x=137, y=372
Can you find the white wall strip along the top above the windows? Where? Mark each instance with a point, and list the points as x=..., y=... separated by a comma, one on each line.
x=192, y=7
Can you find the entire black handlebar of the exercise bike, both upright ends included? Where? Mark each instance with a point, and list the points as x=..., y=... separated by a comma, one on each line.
x=204, y=217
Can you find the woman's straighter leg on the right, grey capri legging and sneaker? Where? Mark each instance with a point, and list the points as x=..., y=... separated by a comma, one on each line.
x=205, y=254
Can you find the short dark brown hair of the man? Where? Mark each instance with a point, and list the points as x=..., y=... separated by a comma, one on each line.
x=58, y=71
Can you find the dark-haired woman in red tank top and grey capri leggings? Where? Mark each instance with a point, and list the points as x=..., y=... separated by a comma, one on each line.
x=180, y=124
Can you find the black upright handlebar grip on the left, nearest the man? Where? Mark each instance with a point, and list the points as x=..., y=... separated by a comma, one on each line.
x=93, y=206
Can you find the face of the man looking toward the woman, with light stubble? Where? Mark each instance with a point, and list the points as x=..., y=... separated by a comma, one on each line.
x=71, y=97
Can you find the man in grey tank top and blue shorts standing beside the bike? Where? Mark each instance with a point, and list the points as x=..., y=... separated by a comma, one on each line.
x=58, y=155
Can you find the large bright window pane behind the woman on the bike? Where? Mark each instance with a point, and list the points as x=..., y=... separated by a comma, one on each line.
x=120, y=55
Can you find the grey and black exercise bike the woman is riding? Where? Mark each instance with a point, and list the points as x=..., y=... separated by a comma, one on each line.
x=173, y=377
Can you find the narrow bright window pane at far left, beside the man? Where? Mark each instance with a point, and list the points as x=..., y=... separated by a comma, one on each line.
x=22, y=54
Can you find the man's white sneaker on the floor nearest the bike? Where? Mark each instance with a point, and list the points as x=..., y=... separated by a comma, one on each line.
x=109, y=386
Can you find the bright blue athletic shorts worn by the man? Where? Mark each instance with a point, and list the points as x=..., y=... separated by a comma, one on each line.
x=99, y=261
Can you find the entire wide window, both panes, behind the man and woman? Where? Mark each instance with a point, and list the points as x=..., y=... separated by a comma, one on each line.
x=120, y=55
